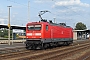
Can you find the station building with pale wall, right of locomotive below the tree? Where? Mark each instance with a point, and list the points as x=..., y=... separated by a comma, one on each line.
x=81, y=34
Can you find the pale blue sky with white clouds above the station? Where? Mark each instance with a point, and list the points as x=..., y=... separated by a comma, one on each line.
x=68, y=11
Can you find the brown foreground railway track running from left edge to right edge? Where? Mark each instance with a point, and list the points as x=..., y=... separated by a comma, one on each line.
x=44, y=54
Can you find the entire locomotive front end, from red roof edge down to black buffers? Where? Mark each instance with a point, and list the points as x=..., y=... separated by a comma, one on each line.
x=33, y=36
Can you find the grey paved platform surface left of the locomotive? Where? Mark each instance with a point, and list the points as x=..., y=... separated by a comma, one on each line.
x=14, y=45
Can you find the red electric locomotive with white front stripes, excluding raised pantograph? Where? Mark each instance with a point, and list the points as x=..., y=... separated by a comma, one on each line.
x=43, y=34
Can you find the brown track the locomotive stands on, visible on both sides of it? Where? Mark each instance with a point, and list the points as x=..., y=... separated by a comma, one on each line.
x=19, y=49
